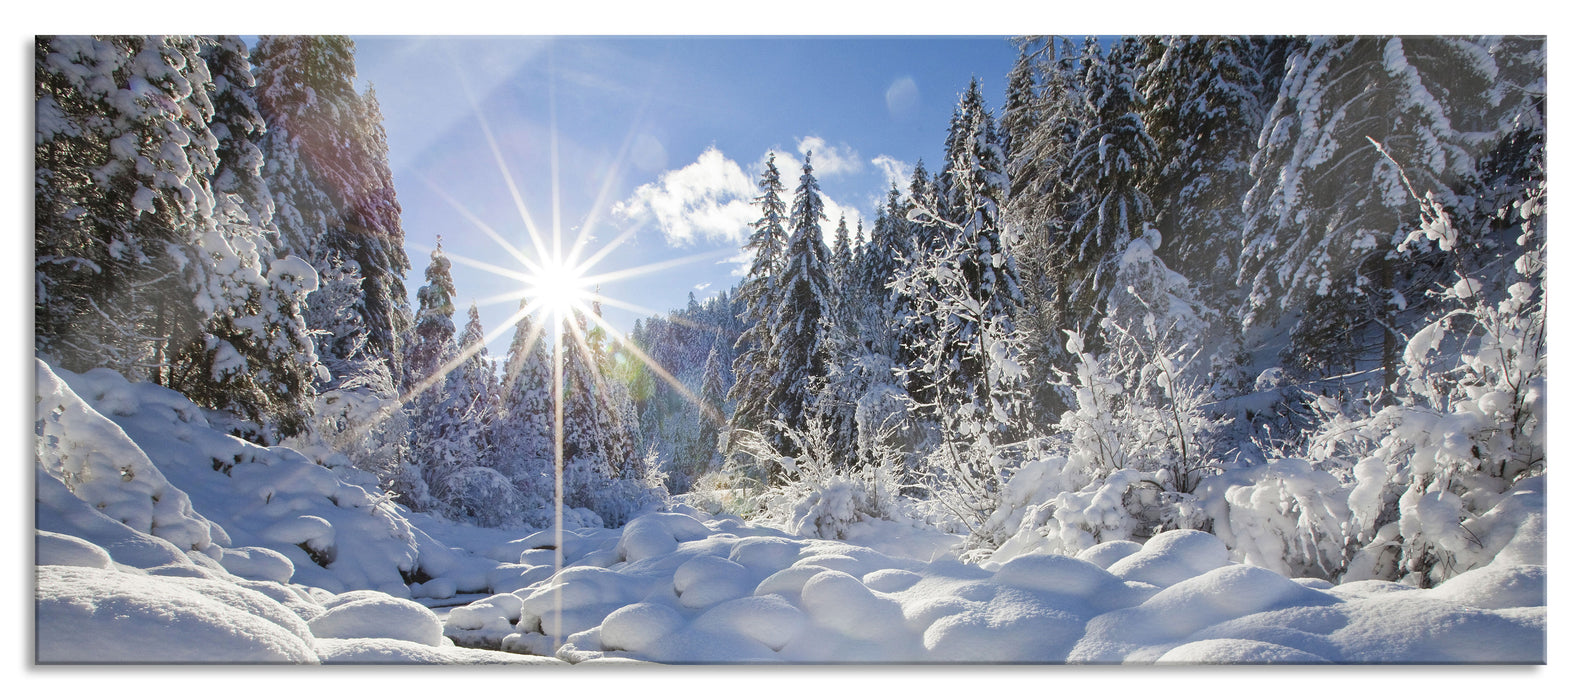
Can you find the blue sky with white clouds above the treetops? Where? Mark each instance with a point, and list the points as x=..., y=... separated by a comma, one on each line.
x=659, y=137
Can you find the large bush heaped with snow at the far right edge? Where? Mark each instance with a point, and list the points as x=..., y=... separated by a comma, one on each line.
x=1412, y=489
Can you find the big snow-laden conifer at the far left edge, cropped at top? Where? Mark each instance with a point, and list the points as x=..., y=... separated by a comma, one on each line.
x=123, y=158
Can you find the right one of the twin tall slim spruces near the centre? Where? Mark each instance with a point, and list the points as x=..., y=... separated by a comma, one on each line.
x=803, y=310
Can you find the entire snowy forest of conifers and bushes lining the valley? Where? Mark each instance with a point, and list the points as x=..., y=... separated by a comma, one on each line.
x=1287, y=292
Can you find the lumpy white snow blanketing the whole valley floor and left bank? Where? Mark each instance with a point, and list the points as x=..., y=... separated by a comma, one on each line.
x=161, y=539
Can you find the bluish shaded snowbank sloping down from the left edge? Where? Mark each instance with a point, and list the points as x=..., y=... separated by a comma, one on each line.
x=131, y=468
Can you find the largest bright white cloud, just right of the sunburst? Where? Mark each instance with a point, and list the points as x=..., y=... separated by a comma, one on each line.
x=710, y=200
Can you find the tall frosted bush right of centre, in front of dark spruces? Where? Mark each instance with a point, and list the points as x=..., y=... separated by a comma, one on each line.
x=1138, y=443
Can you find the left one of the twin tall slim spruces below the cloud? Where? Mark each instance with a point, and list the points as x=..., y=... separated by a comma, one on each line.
x=757, y=295
